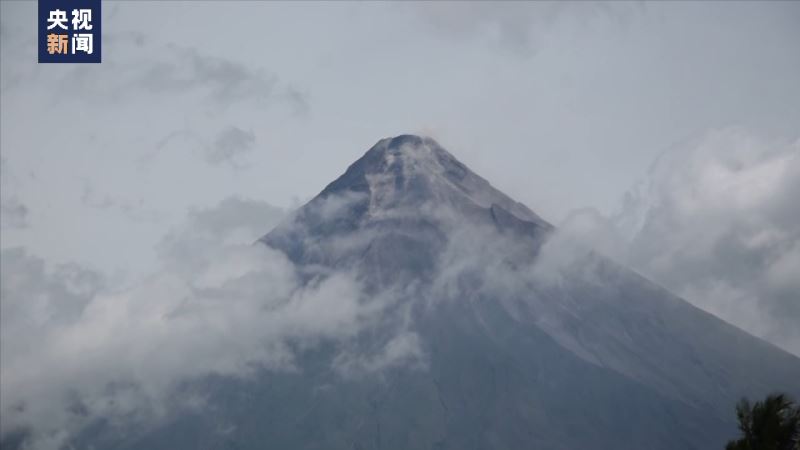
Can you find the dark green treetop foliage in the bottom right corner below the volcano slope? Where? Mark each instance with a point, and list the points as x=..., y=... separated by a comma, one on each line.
x=771, y=424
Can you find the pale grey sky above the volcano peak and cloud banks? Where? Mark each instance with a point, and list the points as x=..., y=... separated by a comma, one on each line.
x=562, y=106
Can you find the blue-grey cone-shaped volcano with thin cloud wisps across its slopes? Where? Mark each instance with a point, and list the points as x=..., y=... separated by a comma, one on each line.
x=492, y=334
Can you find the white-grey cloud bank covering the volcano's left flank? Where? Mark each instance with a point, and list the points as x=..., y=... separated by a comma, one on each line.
x=76, y=348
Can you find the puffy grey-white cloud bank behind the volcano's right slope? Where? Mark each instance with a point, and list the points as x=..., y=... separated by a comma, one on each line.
x=717, y=222
